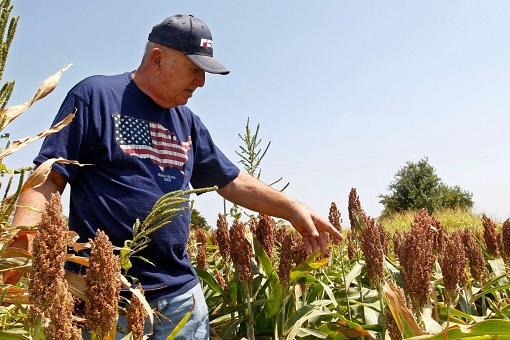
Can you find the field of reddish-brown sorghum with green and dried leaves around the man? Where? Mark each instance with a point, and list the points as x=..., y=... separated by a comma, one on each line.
x=409, y=276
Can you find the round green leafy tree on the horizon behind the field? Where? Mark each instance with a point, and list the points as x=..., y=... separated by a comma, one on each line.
x=417, y=186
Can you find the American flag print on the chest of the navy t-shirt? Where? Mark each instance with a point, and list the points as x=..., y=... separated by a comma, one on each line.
x=150, y=140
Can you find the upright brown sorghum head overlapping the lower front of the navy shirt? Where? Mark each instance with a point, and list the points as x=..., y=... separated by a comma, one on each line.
x=102, y=286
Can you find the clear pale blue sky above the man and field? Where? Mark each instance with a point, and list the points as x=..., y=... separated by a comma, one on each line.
x=346, y=91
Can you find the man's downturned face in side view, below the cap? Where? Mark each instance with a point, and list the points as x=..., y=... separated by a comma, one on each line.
x=177, y=79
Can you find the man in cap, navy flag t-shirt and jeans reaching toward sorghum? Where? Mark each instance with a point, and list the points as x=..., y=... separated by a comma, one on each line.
x=143, y=142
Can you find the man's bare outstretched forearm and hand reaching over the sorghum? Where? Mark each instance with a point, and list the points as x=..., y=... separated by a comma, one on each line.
x=253, y=194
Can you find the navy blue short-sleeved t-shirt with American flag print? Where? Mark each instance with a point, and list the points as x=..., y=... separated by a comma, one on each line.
x=139, y=151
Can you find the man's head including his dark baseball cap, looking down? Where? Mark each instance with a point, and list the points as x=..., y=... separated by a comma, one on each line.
x=177, y=55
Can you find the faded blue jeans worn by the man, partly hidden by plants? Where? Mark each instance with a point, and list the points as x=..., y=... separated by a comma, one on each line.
x=174, y=309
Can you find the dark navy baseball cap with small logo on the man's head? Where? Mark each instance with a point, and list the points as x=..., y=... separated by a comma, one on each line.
x=191, y=36
